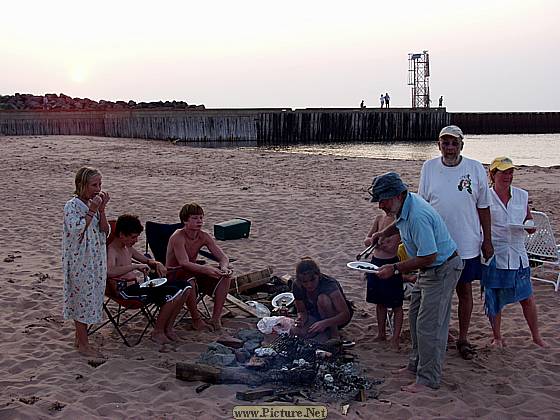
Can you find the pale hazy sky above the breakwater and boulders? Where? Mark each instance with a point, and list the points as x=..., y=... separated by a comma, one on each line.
x=484, y=55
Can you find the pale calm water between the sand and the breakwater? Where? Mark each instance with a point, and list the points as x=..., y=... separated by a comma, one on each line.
x=523, y=149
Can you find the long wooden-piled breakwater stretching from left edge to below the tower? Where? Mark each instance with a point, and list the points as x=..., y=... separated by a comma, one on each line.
x=264, y=126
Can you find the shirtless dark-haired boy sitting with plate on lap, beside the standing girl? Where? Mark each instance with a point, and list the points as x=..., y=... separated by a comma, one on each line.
x=124, y=263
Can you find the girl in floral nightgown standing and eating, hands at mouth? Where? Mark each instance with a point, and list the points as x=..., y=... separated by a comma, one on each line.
x=84, y=255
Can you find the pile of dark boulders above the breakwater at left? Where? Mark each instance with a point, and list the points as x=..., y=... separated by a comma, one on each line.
x=62, y=102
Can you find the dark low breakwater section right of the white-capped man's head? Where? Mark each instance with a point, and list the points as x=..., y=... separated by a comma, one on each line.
x=507, y=122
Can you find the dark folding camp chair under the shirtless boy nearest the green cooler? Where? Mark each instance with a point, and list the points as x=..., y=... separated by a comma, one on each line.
x=157, y=238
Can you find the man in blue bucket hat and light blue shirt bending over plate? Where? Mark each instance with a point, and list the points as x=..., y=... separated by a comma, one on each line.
x=434, y=254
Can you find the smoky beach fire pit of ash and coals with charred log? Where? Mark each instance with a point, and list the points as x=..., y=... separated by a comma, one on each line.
x=314, y=370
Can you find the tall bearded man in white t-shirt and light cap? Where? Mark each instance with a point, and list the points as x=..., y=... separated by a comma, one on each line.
x=457, y=187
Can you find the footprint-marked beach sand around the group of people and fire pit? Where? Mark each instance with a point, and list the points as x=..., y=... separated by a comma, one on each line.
x=299, y=205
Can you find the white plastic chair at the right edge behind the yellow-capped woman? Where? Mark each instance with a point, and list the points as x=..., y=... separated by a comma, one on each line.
x=543, y=249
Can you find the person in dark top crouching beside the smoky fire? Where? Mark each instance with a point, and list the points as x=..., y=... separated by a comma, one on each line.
x=322, y=308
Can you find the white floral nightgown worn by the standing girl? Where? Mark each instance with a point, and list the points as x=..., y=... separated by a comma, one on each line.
x=84, y=264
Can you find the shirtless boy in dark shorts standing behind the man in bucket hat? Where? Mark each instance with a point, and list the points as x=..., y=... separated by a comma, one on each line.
x=386, y=293
